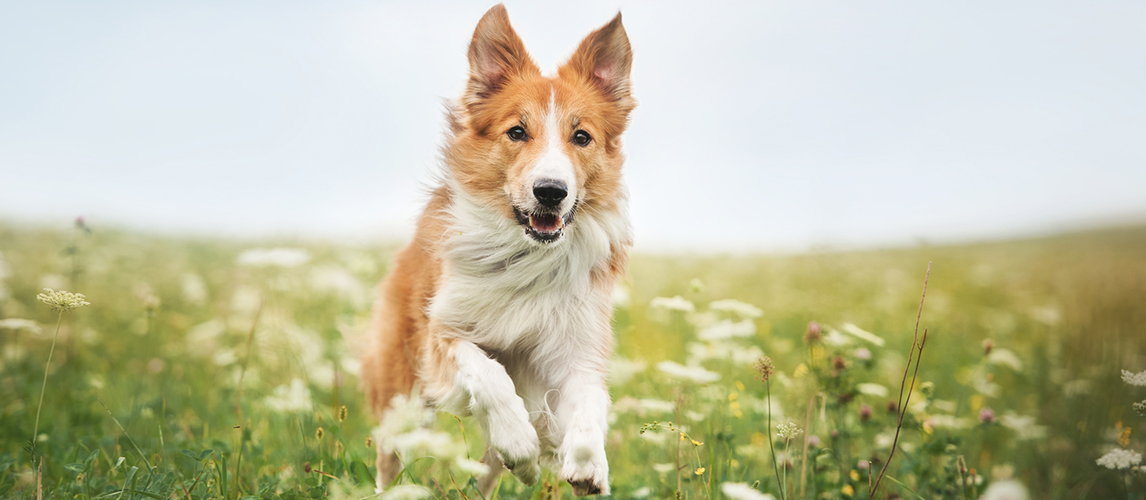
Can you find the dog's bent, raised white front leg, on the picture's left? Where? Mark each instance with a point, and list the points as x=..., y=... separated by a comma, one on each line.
x=482, y=386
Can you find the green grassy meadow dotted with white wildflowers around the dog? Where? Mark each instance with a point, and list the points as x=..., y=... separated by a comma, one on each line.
x=219, y=369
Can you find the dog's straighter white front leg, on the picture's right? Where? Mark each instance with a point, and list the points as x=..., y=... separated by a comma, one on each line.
x=584, y=415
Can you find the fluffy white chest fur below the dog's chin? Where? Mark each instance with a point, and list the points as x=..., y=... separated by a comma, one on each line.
x=503, y=292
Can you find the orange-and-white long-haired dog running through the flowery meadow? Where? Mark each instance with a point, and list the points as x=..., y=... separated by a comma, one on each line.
x=501, y=306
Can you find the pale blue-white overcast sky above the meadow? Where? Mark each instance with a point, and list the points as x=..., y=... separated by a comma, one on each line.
x=763, y=126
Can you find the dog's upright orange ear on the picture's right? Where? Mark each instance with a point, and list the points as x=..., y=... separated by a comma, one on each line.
x=605, y=59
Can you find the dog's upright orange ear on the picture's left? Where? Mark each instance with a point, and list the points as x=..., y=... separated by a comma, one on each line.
x=496, y=54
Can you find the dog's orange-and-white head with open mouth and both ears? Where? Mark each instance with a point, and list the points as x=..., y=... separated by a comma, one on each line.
x=539, y=149
